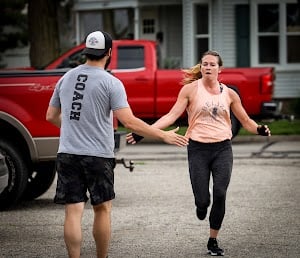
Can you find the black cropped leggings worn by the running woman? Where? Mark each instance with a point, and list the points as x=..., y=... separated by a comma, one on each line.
x=205, y=159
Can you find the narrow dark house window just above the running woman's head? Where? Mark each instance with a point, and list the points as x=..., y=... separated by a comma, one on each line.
x=202, y=29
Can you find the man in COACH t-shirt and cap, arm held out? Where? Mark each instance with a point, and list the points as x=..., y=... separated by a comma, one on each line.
x=82, y=105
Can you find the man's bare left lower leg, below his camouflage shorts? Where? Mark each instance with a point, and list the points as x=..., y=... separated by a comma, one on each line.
x=72, y=228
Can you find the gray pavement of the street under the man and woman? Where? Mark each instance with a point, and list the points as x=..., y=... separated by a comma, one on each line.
x=154, y=216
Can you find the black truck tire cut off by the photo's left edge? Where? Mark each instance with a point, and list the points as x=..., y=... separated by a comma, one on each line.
x=18, y=174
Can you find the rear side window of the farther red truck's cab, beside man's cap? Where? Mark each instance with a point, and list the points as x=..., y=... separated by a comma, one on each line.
x=130, y=57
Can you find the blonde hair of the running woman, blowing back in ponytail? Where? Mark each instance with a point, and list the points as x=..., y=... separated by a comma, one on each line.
x=194, y=72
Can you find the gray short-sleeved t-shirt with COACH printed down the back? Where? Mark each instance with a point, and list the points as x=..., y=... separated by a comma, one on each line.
x=87, y=95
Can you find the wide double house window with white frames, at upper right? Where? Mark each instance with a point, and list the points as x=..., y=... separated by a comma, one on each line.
x=278, y=33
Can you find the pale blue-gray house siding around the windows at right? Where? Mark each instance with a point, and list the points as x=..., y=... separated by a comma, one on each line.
x=223, y=40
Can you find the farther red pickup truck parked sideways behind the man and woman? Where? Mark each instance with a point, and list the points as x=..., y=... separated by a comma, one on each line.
x=152, y=91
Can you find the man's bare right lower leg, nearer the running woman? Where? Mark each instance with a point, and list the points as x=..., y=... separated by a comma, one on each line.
x=102, y=228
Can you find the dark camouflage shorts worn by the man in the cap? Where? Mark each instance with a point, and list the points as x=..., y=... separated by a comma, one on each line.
x=79, y=174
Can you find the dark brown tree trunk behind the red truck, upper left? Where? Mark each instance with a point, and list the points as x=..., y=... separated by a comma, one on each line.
x=43, y=32
